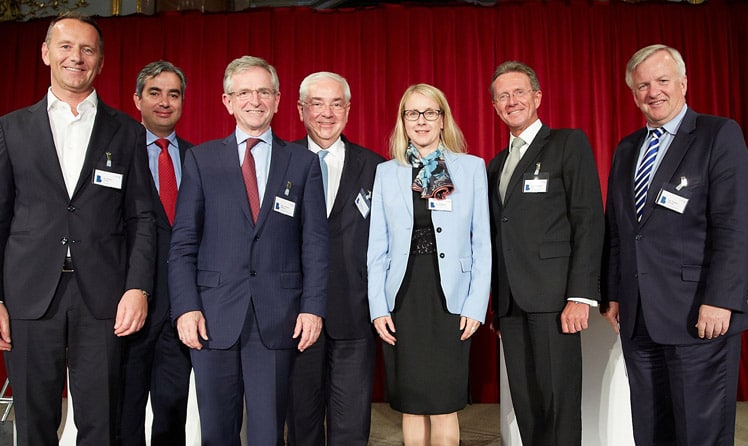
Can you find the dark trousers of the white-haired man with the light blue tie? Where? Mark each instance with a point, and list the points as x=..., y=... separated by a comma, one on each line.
x=332, y=380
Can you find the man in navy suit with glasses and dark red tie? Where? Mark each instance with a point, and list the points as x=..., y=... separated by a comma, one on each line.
x=248, y=275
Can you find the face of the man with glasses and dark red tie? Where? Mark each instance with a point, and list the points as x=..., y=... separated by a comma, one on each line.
x=253, y=113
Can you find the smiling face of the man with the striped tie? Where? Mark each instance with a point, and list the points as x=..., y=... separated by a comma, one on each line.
x=659, y=90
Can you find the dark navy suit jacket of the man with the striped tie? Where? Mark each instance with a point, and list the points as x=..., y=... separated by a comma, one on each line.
x=676, y=262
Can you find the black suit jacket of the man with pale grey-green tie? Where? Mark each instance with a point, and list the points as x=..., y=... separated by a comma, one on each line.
x=547, y=246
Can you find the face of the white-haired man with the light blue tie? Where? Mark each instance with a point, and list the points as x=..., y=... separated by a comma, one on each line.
x=324, y=111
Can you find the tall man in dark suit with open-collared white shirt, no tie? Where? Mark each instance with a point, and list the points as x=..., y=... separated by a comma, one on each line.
x=77, y=242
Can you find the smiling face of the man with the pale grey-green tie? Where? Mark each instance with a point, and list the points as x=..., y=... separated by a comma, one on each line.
x=515, y=101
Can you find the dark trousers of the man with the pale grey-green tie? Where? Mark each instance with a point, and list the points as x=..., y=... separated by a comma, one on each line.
x=544, y=370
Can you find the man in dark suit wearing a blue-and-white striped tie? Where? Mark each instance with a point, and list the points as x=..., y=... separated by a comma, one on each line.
x=677, y=238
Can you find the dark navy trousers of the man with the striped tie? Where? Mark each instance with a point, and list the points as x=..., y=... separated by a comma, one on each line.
x=682, y=394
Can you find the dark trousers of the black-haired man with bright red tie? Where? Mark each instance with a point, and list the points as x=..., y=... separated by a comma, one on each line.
x=156, y=362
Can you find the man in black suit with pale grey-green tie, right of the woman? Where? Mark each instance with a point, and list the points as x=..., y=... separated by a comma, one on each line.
x=547, y=230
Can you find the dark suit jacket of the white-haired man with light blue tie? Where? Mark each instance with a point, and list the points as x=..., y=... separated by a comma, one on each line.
x=347, y=298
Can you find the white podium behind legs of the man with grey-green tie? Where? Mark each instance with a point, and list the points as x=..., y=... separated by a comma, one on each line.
x=606, y=408
